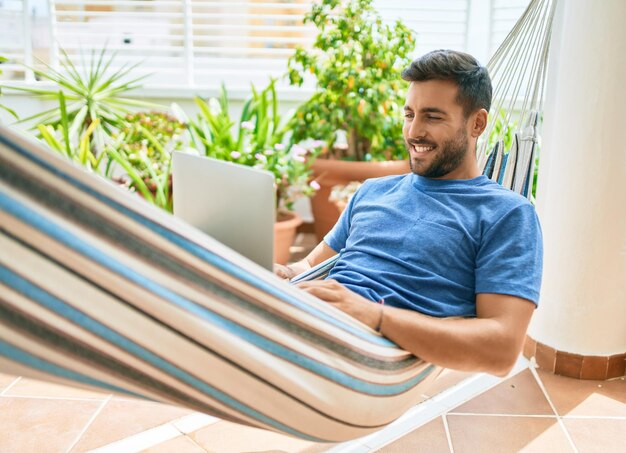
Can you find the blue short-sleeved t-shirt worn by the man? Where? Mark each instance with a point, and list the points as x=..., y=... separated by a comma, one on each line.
x=431, y=245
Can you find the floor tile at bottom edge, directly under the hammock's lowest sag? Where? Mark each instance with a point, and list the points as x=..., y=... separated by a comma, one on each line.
x=226, y=437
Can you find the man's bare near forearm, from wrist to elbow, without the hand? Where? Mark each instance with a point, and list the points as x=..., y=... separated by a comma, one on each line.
x=459, y=343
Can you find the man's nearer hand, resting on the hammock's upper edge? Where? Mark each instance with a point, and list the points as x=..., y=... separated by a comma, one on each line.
x=366, y=311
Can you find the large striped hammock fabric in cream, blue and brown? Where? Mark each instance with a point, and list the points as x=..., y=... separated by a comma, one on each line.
x=99, y=288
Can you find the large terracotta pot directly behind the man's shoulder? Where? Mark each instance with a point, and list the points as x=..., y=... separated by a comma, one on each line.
x=329, y=173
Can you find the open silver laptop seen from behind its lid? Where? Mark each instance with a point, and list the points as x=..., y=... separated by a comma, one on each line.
x=233, y=203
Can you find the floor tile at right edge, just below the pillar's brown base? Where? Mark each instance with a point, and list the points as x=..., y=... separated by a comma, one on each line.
x=581, y=397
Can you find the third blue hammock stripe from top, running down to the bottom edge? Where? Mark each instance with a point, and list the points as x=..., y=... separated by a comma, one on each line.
x=52, y=303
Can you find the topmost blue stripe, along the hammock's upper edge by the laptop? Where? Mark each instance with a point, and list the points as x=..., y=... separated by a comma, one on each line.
x=202, y=253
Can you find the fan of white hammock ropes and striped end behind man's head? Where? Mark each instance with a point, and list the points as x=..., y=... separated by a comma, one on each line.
x=518, y=70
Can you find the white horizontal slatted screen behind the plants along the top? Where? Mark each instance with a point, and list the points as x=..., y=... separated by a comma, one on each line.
x=200, y=43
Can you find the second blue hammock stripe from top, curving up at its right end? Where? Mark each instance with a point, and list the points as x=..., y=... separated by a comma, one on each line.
x=14, y=208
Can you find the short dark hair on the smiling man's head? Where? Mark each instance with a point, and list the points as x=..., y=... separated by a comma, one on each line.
x=472, y=79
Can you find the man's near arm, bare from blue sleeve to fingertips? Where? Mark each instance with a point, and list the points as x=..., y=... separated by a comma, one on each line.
x=491, y=342
